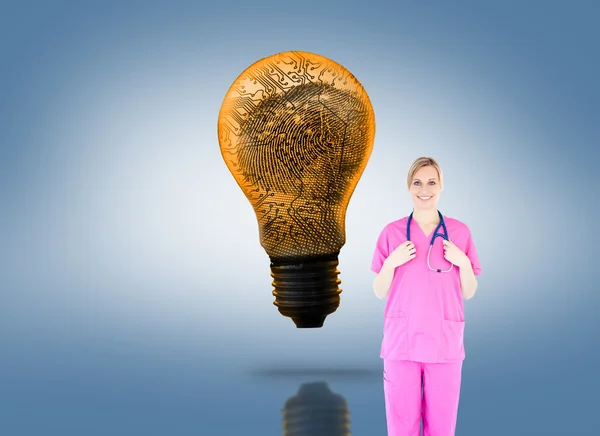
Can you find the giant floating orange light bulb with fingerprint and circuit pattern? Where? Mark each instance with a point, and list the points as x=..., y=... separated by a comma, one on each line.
x=296, y=131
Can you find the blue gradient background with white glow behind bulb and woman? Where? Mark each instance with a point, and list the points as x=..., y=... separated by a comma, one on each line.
x=135, y=297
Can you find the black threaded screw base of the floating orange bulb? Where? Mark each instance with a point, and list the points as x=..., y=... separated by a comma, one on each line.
x=307, y=291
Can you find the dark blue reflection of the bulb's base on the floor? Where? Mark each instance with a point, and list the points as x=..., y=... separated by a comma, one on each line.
x=316, y=411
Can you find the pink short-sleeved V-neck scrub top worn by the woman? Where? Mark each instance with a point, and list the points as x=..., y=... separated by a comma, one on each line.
x=424, y=313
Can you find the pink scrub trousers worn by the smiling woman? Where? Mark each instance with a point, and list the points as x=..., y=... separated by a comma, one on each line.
x=415, y=390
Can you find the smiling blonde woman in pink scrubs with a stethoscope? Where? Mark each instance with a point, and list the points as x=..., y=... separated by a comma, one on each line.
x=422, y=345
